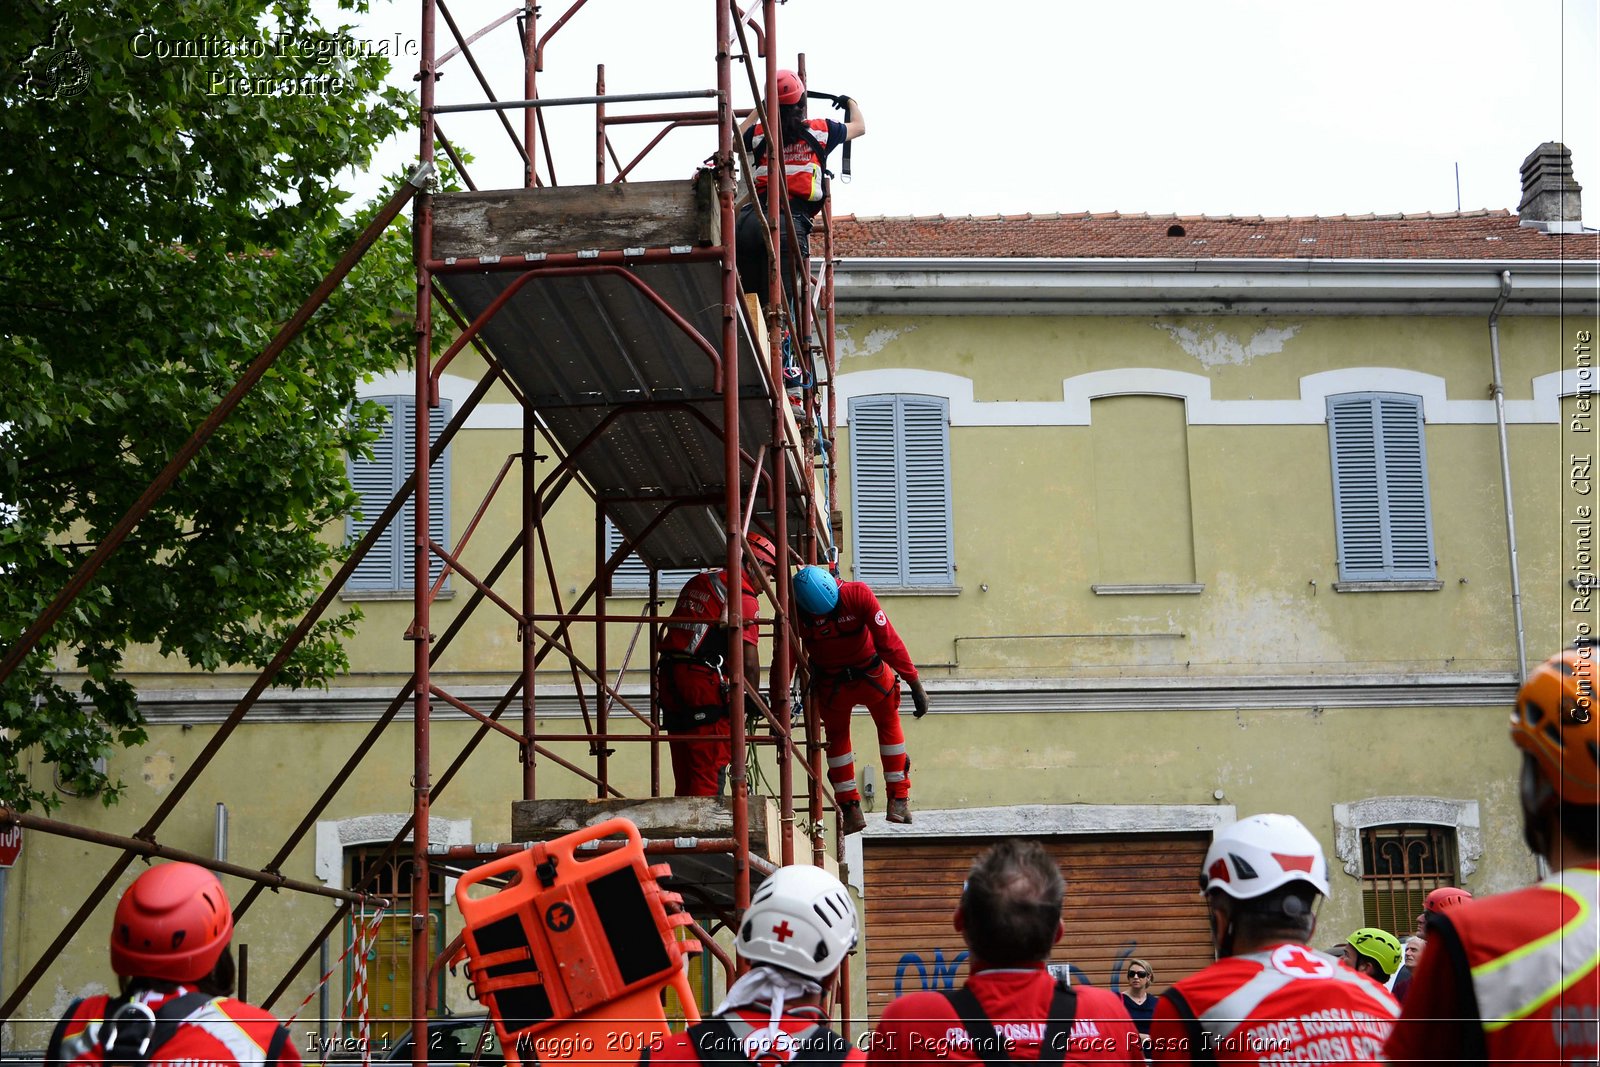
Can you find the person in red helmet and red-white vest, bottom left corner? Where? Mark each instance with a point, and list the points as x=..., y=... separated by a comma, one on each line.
x=170, y=946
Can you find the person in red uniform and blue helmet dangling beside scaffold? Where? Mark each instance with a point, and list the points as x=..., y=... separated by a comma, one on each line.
x=855, y=657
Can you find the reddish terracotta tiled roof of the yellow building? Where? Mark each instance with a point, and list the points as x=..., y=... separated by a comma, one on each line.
x=1116, y=236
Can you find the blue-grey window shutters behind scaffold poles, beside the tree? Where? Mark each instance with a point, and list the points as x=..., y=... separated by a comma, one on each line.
x=390, y=565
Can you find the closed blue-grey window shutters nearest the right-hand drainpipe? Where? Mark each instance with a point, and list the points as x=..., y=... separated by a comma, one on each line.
x=1380, y=487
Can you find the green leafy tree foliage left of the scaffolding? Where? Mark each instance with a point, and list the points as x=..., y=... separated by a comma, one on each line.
x=158, y=225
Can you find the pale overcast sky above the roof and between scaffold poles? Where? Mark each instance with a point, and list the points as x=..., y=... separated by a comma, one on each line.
x=1162, y=106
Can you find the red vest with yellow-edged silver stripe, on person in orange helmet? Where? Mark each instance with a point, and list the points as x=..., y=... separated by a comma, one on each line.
x=1513, y=978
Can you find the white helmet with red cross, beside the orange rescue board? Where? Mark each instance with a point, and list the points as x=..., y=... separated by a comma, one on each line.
x=802, y=921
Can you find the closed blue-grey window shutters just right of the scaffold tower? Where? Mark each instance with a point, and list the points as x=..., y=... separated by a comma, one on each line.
x=900, y=492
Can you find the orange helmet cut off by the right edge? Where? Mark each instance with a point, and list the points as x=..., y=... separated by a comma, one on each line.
x=1556, y=724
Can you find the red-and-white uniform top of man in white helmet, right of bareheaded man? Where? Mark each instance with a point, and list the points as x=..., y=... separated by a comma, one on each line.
x=1282, y=1005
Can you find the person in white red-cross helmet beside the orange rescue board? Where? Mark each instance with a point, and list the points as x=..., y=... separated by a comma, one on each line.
x=796, y=935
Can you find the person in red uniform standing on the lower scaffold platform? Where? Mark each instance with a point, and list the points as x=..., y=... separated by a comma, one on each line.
x=692, y=671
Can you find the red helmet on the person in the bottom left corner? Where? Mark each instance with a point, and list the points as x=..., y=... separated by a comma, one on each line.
x=172, y=924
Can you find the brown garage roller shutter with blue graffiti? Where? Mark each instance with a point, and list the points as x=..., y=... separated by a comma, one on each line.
x=1129, y=897
